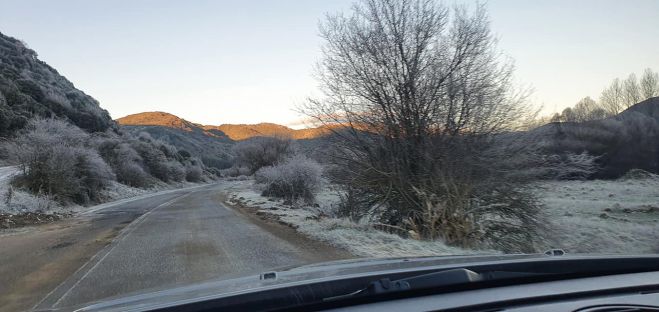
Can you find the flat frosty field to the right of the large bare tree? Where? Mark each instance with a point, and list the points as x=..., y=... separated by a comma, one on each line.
x=619, y=216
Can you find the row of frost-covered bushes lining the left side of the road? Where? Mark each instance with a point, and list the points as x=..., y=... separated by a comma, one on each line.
x=62, y=162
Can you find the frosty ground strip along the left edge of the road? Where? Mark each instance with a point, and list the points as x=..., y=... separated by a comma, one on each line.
x=20, y=208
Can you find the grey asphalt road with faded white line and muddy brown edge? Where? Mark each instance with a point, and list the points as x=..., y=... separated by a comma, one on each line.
x=167, y=240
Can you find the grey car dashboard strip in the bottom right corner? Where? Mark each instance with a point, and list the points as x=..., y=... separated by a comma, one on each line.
x=621, y=292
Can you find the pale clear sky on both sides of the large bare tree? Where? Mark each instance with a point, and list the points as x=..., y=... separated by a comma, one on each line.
x=217, y=62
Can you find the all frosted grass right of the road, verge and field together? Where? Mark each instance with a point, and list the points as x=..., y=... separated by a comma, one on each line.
x=620, y=216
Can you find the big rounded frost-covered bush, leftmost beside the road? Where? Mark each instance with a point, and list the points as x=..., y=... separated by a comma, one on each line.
x=55, y=160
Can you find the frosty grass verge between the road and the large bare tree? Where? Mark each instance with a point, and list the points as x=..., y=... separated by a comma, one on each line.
x=360, y=239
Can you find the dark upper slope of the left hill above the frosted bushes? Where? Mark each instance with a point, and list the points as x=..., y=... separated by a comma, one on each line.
x=31, y=88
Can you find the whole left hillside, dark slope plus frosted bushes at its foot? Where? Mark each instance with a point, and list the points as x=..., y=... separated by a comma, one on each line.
x=66, y=149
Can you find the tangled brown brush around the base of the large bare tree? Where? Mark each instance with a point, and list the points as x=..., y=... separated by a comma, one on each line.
x=448, y=192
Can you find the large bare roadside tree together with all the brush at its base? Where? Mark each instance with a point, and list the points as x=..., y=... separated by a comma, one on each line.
x=431, y=104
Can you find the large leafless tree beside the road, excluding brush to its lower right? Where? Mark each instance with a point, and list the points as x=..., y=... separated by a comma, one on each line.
x=420, y=89
